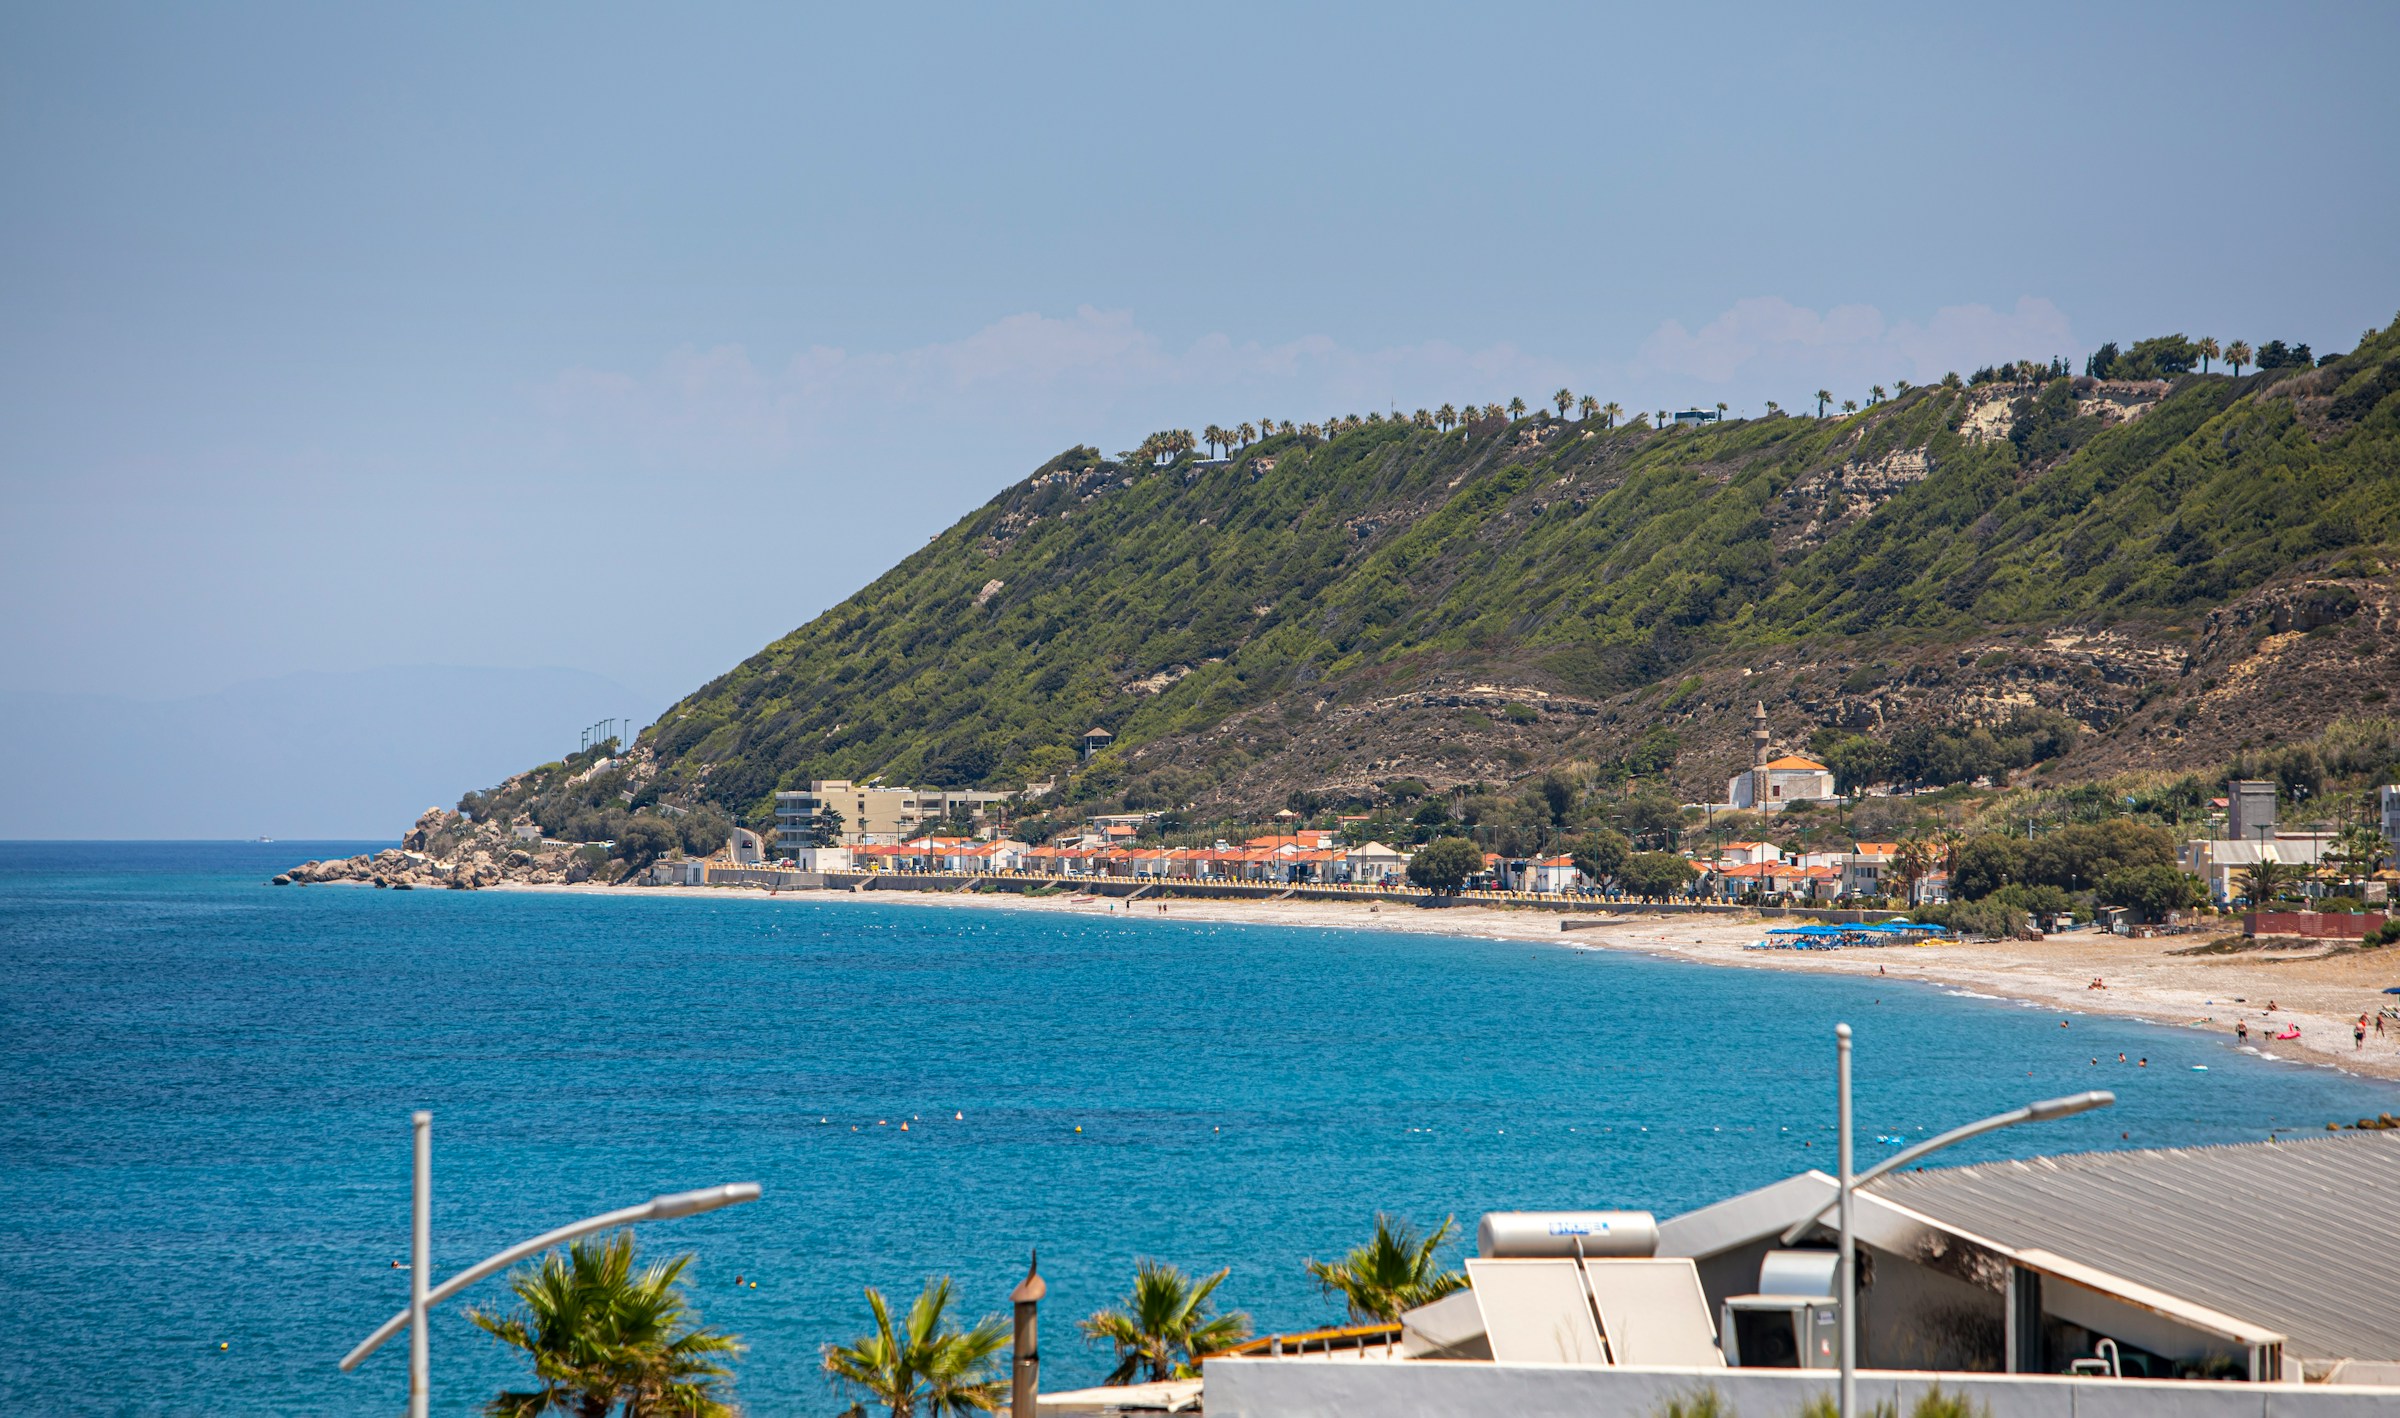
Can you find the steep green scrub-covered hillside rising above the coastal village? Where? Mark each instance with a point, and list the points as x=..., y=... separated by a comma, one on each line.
x=2180, y=567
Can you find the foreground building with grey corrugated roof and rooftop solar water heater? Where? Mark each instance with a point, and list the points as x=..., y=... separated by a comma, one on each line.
x=2154, y=1282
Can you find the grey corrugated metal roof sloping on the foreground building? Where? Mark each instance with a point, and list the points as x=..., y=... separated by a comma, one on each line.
x=2291, y=1234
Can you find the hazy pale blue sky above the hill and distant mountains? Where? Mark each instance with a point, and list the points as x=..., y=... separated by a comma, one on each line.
x=628, y=340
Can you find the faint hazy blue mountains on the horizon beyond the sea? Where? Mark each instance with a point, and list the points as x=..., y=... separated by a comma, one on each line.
x=296, y=757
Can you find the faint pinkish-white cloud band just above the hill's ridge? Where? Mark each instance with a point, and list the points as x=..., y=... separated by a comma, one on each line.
x=1103, y=373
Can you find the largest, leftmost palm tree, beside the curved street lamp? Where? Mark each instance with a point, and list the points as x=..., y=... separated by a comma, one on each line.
x=604, y=1335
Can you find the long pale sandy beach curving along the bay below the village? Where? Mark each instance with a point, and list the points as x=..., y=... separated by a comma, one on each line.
x=2324, y=995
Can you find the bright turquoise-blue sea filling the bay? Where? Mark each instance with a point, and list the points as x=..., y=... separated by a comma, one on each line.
x=208, y=1088
